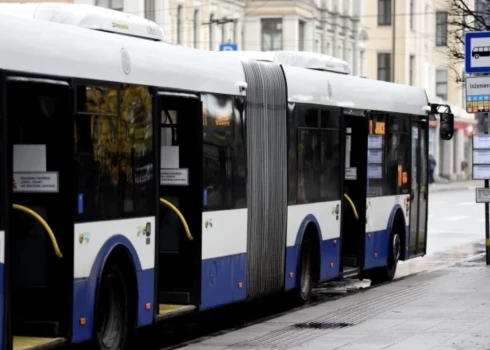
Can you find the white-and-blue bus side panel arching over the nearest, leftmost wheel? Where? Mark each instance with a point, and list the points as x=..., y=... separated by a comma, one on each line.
x=93, y=243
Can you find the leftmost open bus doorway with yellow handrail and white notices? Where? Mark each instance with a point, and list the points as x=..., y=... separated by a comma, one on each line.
x=40, y=226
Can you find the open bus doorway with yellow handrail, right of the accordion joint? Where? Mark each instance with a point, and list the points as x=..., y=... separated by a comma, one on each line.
x=354, y=202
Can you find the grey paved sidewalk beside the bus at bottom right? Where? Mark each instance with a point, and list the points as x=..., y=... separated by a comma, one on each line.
x=441, y=310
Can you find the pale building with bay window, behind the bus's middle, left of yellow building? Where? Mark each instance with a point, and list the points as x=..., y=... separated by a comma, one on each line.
x=325, y=26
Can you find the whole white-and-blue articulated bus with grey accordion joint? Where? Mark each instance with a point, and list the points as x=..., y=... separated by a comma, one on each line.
x=198, y=179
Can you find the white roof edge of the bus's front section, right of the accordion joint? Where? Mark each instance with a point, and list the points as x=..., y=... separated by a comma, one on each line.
x=305, y=86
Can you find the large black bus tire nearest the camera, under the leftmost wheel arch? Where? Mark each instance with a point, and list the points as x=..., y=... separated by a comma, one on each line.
x=112, y=318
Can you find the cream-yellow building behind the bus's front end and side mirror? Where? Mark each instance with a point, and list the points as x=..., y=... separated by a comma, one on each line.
x=407, y=43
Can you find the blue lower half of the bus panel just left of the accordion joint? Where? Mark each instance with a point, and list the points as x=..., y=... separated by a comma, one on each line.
x=223, y=280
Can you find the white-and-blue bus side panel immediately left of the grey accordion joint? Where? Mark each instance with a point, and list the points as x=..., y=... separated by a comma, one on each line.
x=224, y=258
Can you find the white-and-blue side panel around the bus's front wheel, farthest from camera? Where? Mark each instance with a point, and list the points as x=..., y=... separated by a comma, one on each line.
x=378, y=216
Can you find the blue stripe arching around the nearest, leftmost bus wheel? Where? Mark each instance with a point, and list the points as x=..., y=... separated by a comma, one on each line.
x=85, y=288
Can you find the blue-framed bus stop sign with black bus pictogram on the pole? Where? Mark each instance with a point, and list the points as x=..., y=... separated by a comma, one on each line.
x=477, y=52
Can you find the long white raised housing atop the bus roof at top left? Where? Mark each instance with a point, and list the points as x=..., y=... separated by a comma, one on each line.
x=86, y=16
